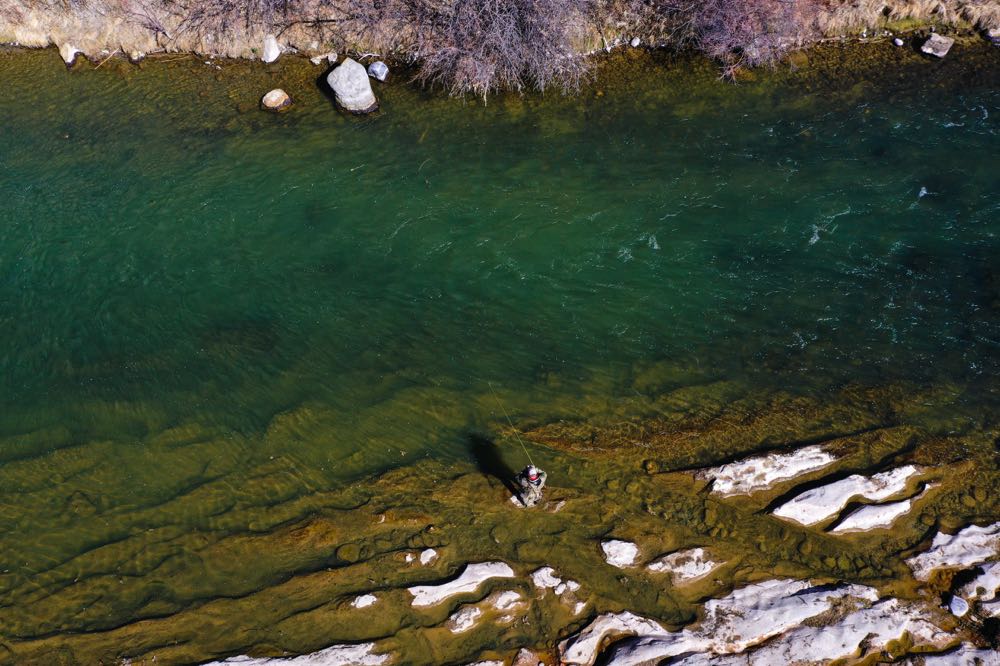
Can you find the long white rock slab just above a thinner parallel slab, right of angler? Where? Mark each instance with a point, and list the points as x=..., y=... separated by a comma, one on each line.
x=819, y=504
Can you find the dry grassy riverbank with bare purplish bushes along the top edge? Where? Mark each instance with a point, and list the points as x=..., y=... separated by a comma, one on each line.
x=542, y=46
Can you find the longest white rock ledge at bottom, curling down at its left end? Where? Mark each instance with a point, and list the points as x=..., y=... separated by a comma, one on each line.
x=744, y=618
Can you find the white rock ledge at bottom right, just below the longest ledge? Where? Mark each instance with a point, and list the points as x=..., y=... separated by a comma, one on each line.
x=874, y=626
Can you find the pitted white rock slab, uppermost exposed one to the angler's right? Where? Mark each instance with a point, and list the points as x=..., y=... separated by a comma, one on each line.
x=752, y=474
